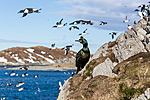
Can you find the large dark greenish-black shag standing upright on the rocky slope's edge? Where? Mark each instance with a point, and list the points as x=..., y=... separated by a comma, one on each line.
x=83, y=55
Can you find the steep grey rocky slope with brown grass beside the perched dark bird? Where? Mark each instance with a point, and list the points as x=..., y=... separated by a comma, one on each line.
x=119, y=70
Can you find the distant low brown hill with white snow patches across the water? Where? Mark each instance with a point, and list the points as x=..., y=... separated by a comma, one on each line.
x=38, y=55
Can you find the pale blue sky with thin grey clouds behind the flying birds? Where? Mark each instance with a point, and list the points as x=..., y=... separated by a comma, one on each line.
x=36, y=29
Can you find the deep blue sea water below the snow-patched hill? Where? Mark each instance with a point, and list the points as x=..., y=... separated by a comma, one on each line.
x=44, y=87
